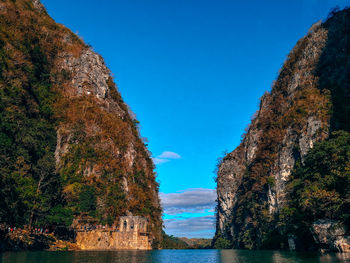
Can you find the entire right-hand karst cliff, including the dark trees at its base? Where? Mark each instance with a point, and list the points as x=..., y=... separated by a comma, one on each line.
x=258, y=184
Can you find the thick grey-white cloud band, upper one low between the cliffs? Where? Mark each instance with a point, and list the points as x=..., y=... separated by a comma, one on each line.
x=194, y=200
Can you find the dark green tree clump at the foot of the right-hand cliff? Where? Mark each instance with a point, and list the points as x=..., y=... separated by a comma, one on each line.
x=319, y=188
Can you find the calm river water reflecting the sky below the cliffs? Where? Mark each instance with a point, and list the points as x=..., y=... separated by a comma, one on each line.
x=169, y=256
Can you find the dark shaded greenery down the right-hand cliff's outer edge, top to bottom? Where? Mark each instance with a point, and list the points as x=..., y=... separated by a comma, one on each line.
x=319, y=188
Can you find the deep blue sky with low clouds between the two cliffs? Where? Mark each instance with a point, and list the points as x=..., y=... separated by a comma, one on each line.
x=193, y=72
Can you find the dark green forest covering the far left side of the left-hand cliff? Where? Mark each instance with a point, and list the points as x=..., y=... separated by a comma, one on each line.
x=30, y=186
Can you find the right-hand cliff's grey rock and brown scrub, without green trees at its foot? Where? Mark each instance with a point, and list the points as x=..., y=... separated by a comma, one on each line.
x=298, y=112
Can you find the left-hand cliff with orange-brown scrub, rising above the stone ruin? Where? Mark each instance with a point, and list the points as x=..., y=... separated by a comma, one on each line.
x=81, y=154
